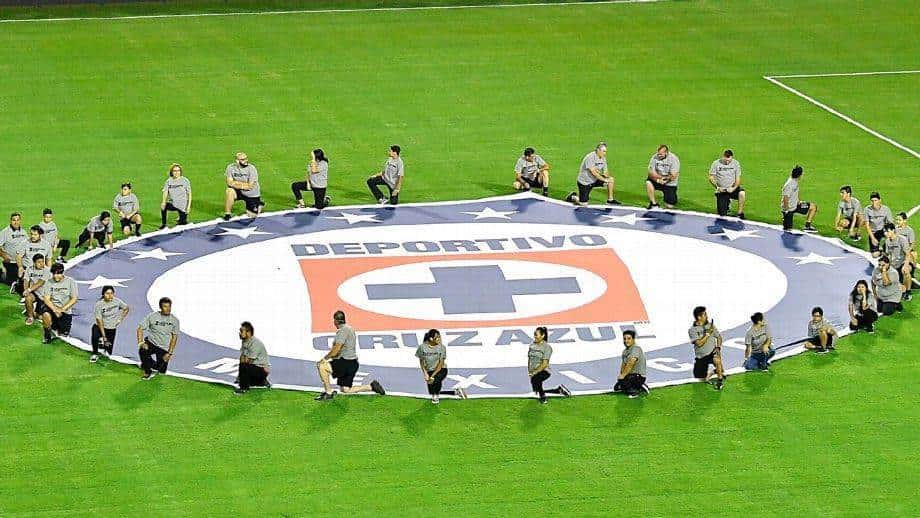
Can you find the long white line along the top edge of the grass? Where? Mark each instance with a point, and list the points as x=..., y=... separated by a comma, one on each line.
x=319, y=11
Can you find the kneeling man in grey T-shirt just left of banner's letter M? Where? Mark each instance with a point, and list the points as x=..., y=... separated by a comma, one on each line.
x=157, y=336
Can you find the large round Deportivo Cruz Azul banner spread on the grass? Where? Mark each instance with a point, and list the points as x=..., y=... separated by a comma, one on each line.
x=485, y=273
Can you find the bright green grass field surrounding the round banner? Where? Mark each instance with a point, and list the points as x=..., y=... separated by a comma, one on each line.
x=88, y=104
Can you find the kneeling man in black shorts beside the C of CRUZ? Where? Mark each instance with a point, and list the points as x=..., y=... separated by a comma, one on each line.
x=341, y=362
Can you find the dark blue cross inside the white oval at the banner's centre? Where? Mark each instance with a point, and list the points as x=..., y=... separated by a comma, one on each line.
x=473, y=289
